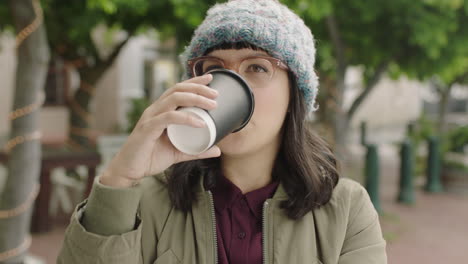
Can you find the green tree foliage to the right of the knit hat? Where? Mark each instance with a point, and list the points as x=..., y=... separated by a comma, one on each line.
x=420, y=38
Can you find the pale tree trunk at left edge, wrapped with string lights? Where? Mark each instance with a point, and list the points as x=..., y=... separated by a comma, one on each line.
x=24, y=159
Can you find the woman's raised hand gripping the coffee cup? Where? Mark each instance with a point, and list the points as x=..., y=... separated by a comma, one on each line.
x=148, y=150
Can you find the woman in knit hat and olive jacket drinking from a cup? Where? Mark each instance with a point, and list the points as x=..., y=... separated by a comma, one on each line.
x=269, y=193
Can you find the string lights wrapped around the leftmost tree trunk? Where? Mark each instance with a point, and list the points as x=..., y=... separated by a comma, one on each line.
x=35, y=135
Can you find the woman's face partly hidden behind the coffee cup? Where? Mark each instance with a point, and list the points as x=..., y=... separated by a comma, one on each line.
x=271, y=104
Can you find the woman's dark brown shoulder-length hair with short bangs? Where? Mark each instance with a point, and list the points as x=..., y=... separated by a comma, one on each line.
x=305, y=165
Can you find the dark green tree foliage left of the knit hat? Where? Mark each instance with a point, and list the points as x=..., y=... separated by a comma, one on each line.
x=70, y=23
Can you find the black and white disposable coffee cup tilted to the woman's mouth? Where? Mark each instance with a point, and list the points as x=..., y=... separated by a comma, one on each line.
x=235, y=108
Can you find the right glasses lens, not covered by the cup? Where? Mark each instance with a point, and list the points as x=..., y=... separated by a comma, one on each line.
x=257, y=71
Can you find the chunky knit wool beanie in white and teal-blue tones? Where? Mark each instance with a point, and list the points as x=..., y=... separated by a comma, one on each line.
x=266, y=24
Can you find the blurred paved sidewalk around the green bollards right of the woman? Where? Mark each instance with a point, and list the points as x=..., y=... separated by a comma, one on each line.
x=432, y=231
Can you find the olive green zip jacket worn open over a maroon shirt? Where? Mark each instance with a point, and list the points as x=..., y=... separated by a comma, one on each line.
x=139, y=225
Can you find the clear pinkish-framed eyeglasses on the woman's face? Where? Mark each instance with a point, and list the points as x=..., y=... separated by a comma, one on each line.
x=258, y=71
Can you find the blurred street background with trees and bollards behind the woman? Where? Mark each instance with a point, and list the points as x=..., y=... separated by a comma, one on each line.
x=75, y=77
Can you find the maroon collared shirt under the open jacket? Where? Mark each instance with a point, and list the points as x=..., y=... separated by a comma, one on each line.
x=239, y=221
